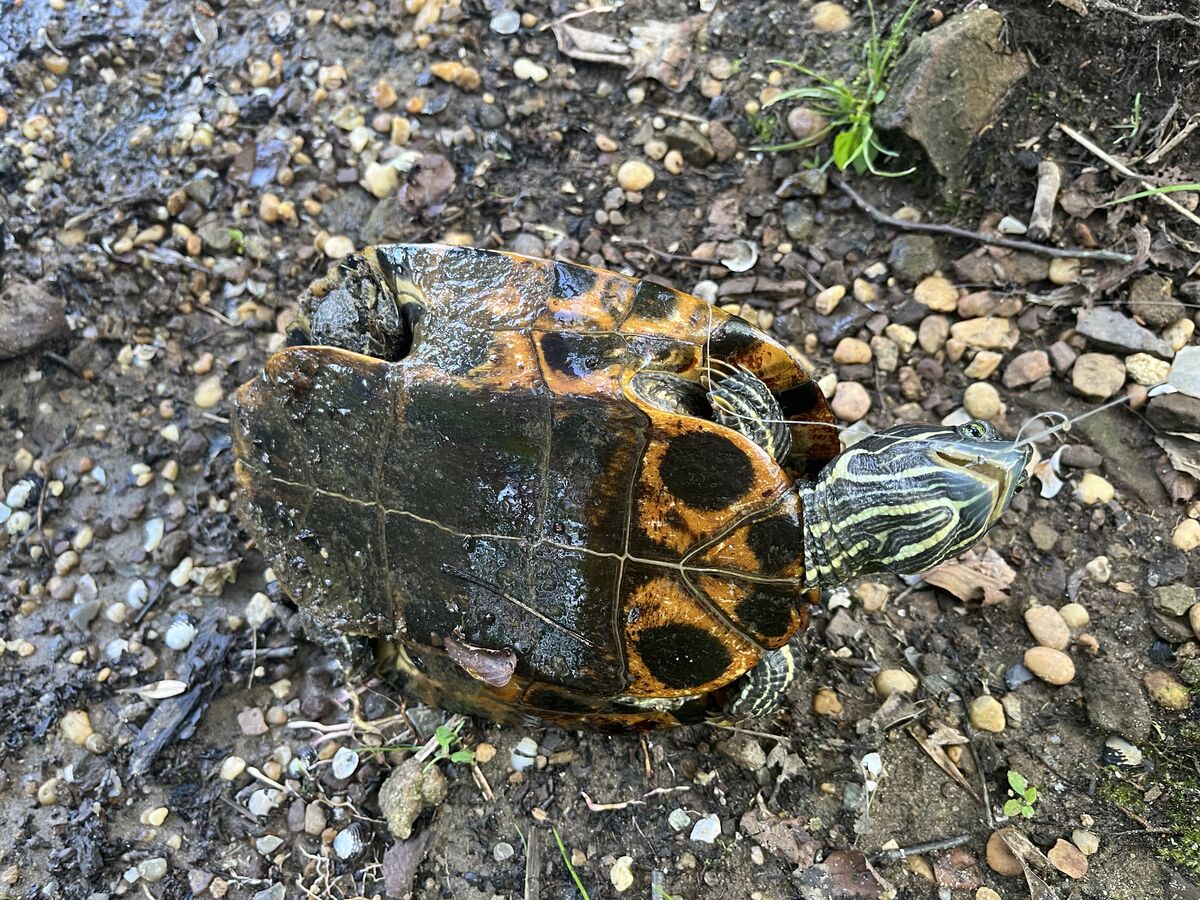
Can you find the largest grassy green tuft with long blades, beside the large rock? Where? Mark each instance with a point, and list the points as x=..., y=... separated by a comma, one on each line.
x=850, y=106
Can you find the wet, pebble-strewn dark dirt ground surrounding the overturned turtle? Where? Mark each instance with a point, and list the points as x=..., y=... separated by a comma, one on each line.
x=173, y=175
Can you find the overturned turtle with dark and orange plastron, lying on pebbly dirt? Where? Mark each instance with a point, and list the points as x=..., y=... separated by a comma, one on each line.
x=545, y=491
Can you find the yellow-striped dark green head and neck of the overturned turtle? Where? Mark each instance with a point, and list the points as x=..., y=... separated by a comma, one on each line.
x=909, y=499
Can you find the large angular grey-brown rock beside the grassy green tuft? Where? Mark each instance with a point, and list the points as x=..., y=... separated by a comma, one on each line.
x=949, y=86
